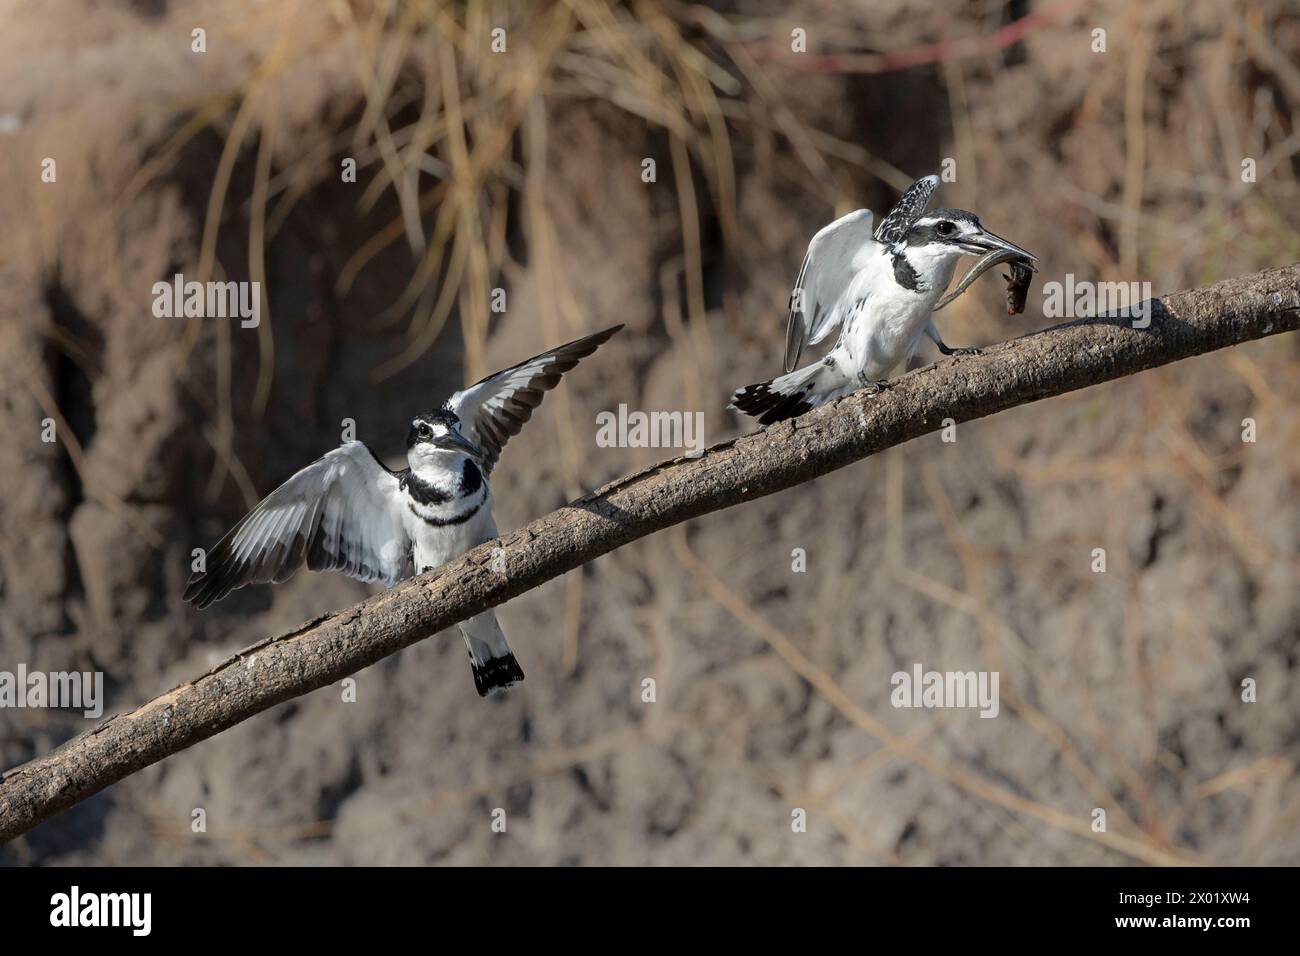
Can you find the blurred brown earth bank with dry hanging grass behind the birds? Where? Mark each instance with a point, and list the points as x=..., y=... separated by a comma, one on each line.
x=525, y=171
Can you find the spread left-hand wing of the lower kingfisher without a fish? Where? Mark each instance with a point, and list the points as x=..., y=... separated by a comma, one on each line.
x=343, y=513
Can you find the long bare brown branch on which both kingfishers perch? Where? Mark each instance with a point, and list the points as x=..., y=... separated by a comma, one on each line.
x=326, y=651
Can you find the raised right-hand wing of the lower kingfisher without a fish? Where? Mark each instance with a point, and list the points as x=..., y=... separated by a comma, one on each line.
x=496, y=409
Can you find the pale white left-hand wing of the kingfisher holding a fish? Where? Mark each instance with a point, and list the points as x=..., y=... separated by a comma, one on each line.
x=825, y=276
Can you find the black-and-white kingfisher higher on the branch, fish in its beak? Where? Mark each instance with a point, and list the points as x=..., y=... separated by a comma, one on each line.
x=882, y=288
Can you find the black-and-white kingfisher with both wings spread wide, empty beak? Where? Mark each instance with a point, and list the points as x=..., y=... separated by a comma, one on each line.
x=348, y=512
